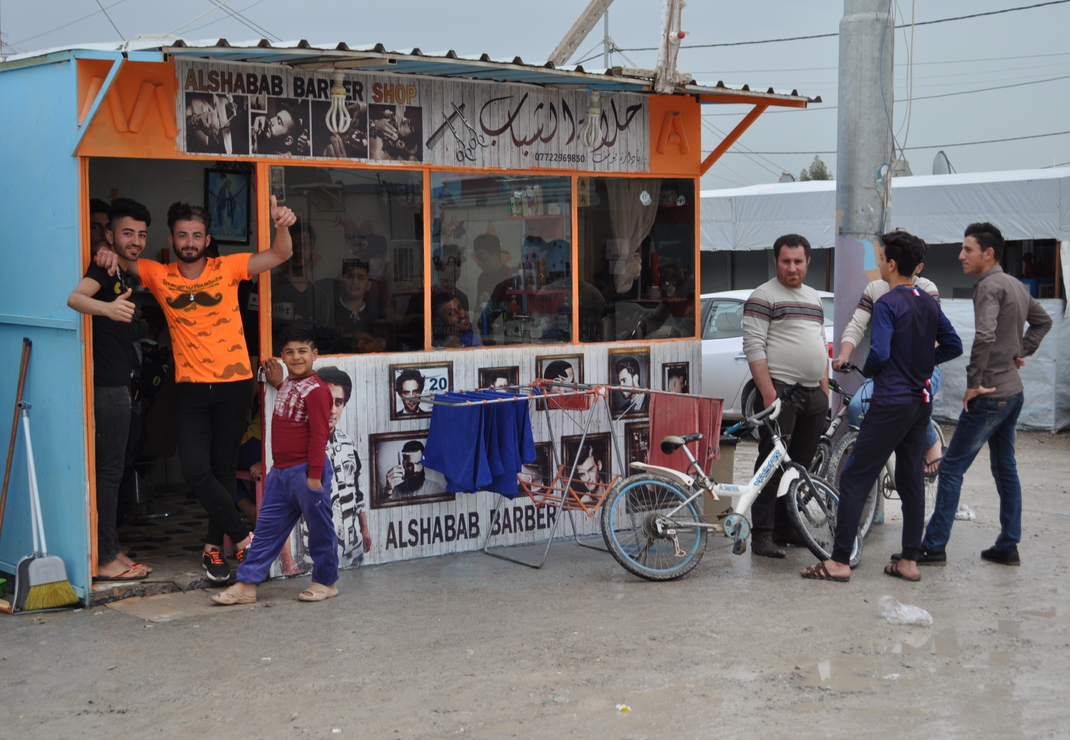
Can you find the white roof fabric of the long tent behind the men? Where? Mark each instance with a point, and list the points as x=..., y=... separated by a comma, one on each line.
x=1025, y=205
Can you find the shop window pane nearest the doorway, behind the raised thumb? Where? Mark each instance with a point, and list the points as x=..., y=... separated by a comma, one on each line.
x=357, y=272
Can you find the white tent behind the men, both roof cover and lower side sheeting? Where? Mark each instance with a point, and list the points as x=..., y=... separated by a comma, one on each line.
x=1025, y=205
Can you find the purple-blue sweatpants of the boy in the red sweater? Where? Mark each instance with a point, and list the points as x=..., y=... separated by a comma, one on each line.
x=287, y=498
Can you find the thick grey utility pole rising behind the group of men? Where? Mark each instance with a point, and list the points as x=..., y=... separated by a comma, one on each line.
x=864, y=152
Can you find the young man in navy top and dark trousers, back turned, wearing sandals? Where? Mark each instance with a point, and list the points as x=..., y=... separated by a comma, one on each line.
x=911, y=335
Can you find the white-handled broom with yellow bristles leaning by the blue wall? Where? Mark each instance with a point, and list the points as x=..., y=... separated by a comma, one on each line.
x=43, y=577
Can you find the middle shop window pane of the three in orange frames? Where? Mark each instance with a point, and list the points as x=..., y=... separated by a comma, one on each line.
x=501, y=260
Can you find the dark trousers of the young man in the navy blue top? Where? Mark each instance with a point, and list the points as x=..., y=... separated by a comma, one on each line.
x=896, y=428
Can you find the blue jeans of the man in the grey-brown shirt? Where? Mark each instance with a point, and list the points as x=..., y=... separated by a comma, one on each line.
x=993, y=421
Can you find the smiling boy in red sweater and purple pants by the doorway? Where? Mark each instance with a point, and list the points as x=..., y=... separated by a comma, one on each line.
x=299, y=485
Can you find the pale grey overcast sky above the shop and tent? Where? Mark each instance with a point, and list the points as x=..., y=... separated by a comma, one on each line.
x=1016, y=52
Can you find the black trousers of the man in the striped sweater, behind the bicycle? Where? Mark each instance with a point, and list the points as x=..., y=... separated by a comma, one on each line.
x=802, y=421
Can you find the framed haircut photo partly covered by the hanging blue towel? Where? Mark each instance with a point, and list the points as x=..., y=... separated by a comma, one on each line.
x=399, y=476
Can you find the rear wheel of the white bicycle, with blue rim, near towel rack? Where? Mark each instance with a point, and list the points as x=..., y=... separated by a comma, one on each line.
x=630, y=518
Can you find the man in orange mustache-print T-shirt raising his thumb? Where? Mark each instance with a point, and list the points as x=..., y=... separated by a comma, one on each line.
x=200, y=298
